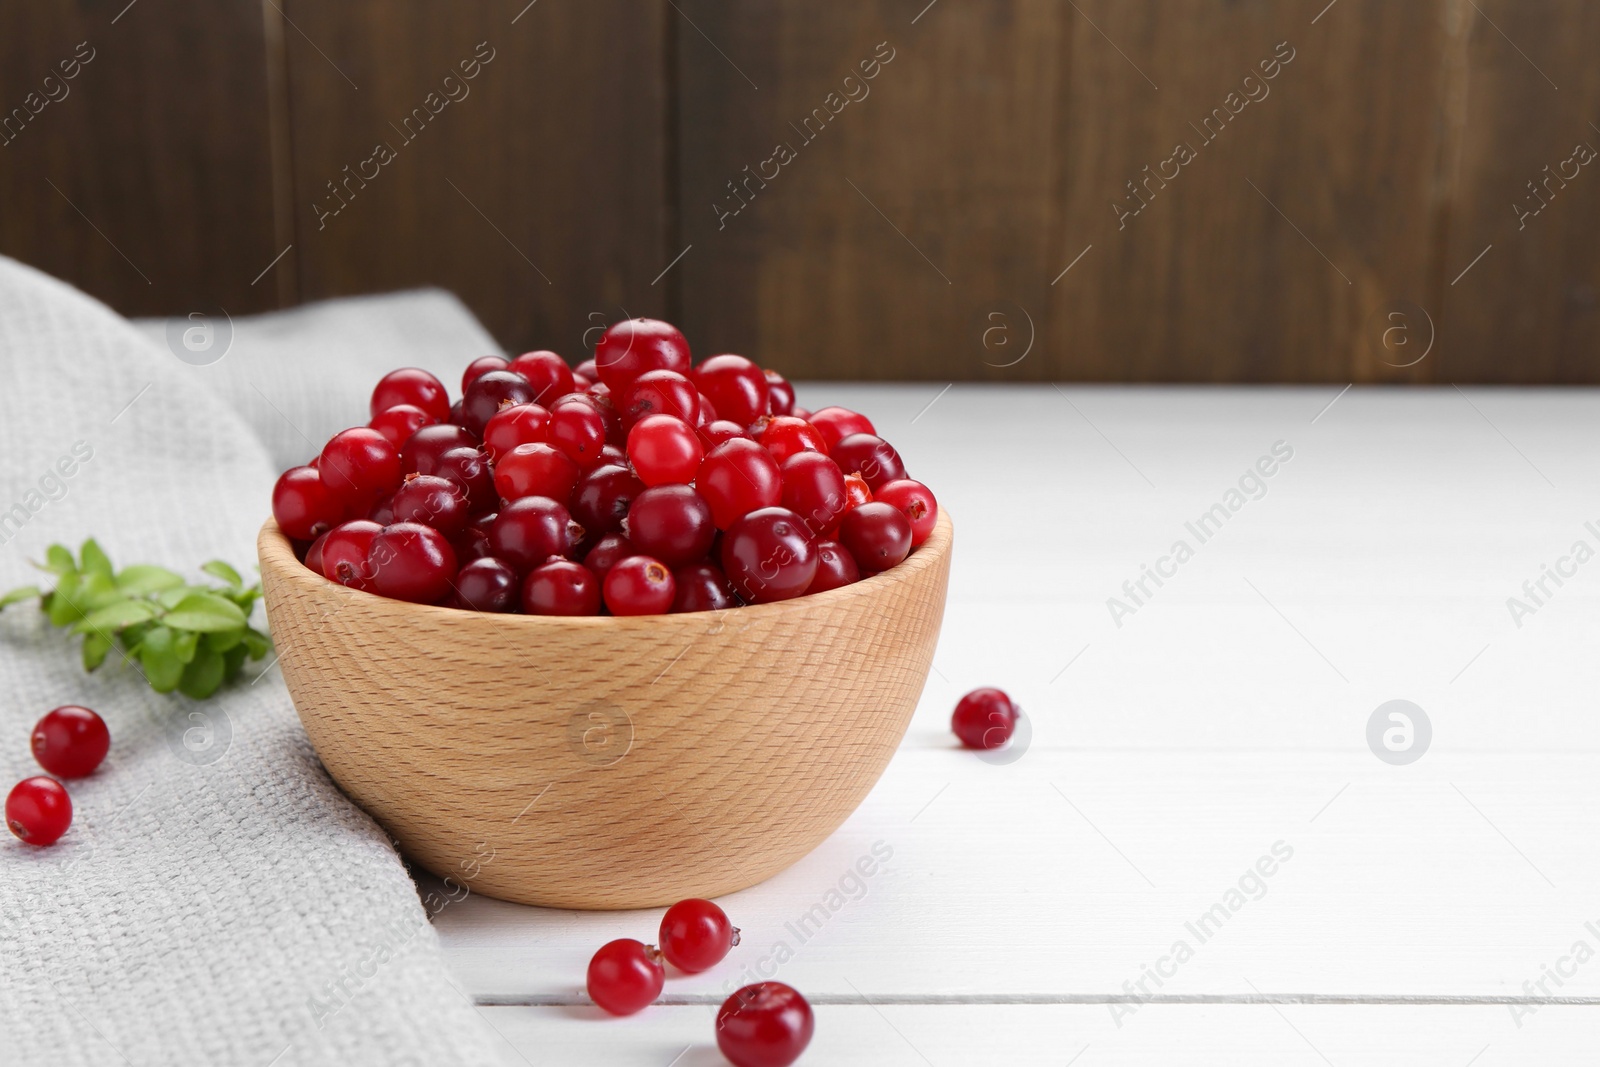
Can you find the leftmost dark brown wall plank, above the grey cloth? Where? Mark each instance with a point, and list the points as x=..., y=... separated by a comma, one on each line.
x=146, y=182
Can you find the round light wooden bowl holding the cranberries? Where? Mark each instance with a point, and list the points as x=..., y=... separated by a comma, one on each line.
x=604, y=762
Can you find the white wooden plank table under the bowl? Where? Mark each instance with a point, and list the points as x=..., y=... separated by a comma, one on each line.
x=1423, y=905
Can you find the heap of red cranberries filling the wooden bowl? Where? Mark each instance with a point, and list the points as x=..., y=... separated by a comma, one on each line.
x=634, y=484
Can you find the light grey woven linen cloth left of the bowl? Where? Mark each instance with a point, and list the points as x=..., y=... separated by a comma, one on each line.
x=217, y=900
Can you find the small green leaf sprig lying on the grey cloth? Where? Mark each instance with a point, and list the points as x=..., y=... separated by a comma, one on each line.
x=186, y=637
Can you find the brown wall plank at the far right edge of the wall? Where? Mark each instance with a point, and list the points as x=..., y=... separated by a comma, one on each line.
x=1529, y=311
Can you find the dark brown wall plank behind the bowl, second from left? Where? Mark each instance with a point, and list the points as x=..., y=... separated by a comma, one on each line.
x=537, y=191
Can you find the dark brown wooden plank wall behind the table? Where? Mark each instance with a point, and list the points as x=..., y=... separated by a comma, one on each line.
x=919, y=226
